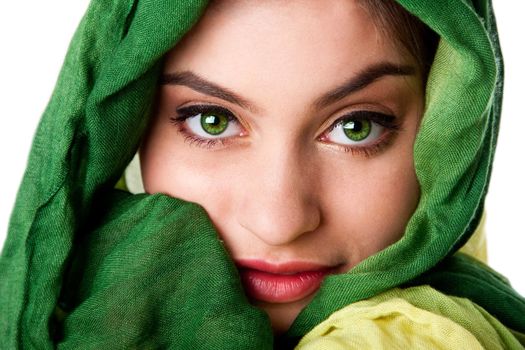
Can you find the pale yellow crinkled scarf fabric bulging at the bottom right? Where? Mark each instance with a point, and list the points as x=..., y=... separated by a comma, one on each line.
x=415, y=317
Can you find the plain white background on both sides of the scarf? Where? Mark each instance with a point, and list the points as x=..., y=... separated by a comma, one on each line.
x=34, y=36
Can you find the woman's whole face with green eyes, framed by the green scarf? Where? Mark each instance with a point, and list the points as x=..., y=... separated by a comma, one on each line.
x=292, y=123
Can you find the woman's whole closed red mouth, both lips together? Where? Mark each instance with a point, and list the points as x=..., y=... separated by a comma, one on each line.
x=282, y=283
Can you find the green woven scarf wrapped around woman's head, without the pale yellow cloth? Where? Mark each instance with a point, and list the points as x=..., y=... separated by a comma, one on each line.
x=86, y=266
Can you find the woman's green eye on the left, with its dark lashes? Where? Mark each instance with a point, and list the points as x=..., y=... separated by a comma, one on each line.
x=209, y=122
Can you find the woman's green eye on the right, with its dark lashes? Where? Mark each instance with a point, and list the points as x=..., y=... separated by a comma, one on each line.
x=360, y=129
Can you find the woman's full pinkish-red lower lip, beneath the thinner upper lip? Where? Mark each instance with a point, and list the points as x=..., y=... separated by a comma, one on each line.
x=280, y=288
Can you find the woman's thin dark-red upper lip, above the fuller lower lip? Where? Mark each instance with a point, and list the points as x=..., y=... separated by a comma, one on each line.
x=284, y=268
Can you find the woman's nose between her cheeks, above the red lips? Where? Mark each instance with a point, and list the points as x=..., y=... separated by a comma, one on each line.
x=280, y=202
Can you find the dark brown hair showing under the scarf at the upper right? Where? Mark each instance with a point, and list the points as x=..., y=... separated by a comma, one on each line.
x=408, y=30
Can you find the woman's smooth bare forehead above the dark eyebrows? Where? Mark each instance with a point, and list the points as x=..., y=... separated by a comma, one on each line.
x=282, y=47
